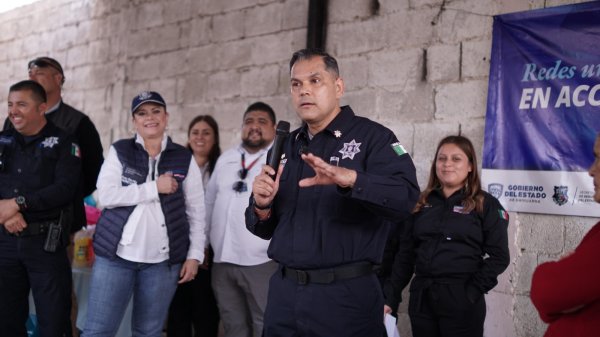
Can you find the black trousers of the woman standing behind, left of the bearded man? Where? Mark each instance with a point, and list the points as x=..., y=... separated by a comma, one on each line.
x=194, y=305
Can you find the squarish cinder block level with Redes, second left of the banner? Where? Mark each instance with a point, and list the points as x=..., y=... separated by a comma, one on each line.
x=443, y=63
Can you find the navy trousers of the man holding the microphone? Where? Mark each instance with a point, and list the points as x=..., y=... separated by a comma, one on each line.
x=348, y=308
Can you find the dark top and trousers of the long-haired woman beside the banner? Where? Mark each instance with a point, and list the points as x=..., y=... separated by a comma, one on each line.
x=456, y=257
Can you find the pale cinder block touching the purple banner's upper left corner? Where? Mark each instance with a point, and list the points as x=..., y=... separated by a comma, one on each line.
x=455, y=26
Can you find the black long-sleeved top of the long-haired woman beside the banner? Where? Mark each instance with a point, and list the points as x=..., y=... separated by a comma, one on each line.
x=442, y=244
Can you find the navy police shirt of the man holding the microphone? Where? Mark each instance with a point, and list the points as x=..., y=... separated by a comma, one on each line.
x=325, y=225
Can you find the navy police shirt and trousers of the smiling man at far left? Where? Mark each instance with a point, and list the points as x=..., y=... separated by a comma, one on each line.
x=45, y=170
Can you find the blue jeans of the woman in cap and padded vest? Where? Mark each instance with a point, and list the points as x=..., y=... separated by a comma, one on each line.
x=115, y=281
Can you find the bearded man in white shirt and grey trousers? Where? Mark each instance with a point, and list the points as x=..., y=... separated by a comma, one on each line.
x=241, y=269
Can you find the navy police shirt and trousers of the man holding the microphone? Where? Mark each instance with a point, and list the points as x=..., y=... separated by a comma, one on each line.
x=323, y=227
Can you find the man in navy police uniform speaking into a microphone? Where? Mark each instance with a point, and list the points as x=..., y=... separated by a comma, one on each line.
x=340, y=179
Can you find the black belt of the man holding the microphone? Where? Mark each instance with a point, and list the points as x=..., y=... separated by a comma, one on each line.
x=328, y=275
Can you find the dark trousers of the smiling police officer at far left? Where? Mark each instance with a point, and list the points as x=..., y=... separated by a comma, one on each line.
x=24, y=266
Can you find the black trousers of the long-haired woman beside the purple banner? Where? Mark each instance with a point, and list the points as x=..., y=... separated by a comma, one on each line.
x=443, y=310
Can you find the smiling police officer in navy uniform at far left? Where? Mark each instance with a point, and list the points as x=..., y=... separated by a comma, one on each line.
x=39, y=172
